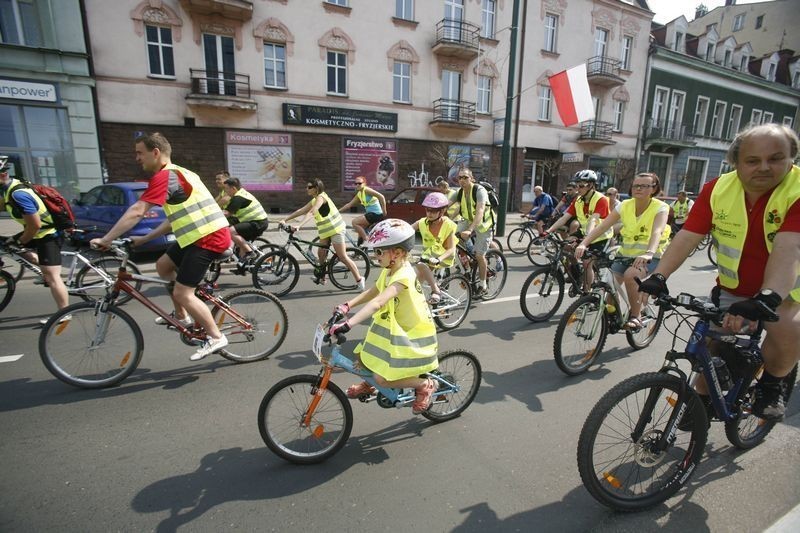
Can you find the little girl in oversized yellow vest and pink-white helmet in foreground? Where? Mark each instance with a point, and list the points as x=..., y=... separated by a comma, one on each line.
x=400, y=344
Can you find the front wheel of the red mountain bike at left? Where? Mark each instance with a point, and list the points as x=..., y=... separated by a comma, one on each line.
x=69, y=351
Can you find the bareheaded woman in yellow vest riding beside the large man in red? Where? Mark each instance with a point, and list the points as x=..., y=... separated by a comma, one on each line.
x=644, y=234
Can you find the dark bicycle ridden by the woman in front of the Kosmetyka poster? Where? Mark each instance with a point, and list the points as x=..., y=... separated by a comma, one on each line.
x=278, y=271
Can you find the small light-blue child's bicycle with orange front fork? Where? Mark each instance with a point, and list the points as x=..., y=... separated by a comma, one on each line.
x=306, y=419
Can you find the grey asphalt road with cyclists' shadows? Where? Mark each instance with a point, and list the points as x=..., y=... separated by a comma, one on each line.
x=176, y=446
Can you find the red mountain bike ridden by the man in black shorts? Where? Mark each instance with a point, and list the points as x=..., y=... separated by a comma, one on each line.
x=94, y=345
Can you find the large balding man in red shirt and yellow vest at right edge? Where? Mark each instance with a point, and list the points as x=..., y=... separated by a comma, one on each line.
x=759, y=201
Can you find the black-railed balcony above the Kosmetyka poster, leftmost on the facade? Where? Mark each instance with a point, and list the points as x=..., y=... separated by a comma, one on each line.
x=225, y=90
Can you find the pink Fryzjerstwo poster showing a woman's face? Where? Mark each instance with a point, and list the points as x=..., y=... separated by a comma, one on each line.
x=375, y=159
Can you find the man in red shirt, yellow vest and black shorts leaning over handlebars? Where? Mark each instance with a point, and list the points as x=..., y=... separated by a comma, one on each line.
x=199, y=225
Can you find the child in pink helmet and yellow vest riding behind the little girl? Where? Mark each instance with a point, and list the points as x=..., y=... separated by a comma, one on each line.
x=438, y=240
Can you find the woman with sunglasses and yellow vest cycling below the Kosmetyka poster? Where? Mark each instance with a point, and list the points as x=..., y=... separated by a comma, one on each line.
x=330, y=226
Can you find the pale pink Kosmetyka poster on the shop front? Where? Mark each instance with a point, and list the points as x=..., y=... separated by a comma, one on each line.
x=262, y=161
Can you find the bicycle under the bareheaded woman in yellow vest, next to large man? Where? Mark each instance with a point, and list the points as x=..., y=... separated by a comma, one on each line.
x=587, y=322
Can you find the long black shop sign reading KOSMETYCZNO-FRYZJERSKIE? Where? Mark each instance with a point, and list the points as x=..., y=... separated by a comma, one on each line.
x=338, y=117
